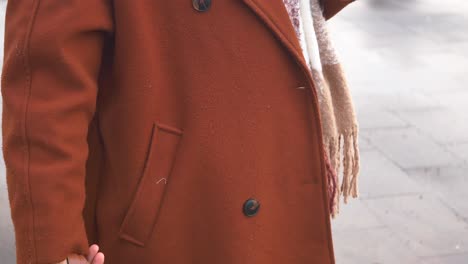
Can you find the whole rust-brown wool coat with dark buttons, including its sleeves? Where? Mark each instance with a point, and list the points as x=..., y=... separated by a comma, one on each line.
x=160, y=121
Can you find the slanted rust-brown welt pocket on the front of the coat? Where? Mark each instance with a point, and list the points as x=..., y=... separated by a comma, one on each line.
x=143, y=212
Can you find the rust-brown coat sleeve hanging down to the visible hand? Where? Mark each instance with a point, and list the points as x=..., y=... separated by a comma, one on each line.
x=52, y=57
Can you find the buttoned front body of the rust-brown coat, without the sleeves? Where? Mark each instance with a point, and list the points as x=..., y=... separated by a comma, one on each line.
x=196, y=113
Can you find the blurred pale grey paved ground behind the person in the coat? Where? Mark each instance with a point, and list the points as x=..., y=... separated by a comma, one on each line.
x=407, y=64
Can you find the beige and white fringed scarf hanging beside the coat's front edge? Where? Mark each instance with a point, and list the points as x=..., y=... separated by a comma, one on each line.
x=339, y=123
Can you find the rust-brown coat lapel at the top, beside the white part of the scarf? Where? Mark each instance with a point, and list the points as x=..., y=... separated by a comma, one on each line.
x=275, y=16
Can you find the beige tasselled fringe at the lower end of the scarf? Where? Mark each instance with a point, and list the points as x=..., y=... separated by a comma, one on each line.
x=342, y=150
